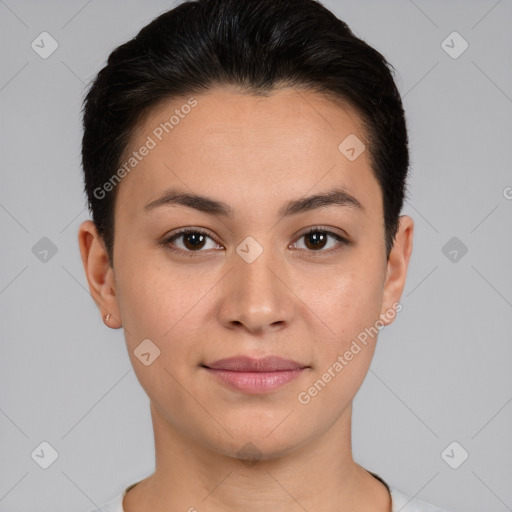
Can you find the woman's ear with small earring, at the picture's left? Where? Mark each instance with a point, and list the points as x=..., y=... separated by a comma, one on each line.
x=100, y=275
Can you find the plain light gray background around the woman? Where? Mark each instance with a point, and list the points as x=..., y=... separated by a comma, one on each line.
x=441, y=372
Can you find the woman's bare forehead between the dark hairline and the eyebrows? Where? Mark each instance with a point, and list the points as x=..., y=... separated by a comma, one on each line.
x=247, y=146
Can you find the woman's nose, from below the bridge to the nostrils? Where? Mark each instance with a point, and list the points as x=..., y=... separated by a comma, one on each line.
x=256, y=297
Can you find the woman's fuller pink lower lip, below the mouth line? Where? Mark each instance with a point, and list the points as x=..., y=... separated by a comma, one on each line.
x=256, y=382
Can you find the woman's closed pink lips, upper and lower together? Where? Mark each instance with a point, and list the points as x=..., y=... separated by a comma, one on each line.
x=255, y=376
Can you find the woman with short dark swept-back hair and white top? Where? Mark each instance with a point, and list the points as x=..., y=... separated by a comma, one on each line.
x=245, y=165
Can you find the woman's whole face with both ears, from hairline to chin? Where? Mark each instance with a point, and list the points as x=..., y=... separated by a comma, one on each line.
x=261, y=272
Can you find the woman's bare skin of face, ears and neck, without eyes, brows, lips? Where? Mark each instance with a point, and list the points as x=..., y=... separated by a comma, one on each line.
x=306, y=304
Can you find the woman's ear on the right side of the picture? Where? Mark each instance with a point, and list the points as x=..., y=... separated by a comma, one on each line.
x=396, y=272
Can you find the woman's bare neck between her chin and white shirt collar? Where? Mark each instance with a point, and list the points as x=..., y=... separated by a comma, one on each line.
x=321, y=475
